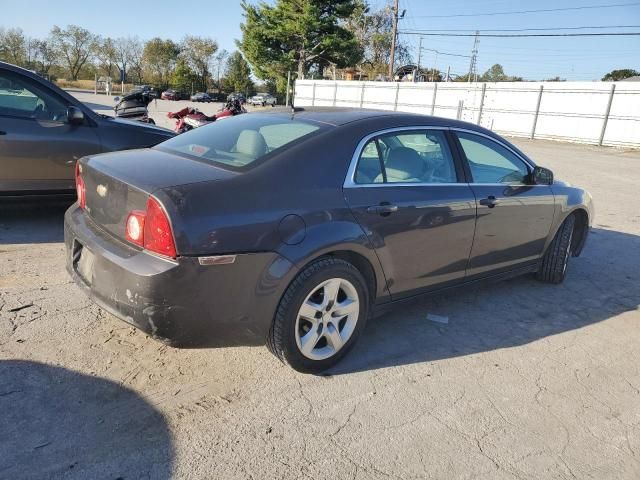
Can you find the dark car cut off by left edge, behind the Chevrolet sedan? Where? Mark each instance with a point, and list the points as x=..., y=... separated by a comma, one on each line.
x=44, y=131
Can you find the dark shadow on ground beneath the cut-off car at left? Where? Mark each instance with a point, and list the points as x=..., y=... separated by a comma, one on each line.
x=38, y=221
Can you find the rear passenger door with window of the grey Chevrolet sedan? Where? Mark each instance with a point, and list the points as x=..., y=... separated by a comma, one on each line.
x=408, y=193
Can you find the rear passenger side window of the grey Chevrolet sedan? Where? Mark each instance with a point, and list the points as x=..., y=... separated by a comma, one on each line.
x=420, y=156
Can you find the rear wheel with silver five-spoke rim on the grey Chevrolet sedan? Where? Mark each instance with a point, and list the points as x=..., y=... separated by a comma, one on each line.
x=320, y=316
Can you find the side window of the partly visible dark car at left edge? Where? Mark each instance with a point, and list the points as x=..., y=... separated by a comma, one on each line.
x=19, y=98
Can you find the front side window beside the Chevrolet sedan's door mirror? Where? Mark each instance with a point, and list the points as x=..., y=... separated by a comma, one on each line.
x=490, y=162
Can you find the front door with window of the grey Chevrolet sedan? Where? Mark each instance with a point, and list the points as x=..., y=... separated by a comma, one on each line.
x=514, y=217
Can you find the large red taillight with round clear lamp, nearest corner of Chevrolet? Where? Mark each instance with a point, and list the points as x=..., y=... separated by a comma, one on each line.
x=151, y=229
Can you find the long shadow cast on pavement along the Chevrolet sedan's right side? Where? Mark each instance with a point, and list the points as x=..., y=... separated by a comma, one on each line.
x=602, y=283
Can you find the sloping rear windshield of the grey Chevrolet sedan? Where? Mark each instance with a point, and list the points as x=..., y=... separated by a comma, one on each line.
x=240, y=141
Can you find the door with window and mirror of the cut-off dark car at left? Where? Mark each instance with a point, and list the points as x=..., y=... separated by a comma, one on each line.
x=38, y=148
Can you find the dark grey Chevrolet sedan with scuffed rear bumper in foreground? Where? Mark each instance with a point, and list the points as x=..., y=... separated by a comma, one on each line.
x=290, y=228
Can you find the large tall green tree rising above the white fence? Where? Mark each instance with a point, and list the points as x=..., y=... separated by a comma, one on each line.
x=297, y=35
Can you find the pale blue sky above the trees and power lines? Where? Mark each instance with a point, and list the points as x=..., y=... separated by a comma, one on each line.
x=577, y=58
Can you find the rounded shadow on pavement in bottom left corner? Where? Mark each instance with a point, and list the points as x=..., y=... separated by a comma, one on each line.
x=56, y=423
